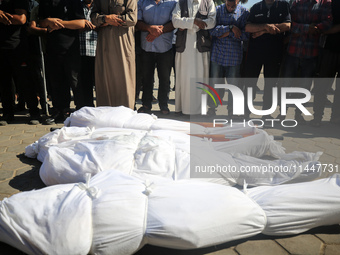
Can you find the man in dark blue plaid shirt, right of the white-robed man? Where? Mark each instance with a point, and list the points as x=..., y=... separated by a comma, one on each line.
x=227, y=51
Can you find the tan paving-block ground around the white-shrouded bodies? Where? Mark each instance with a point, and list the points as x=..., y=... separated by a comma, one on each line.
x=18, y=173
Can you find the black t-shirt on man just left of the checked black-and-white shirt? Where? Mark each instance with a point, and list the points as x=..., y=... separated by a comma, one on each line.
x=63, y=40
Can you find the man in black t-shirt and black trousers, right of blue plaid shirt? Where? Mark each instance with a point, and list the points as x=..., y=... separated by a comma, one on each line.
x=267, y=23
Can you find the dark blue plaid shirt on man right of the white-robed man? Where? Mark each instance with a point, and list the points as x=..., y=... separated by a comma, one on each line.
x=227, y=51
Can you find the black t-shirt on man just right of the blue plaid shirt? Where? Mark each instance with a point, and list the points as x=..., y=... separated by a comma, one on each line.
x=267, y=44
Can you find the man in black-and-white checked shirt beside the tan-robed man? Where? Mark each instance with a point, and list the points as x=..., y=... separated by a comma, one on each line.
x=88, y=44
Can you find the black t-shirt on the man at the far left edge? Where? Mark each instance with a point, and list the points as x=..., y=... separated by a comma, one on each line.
x=10, y=36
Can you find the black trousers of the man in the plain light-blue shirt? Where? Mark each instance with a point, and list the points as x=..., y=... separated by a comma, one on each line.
x=163, y=62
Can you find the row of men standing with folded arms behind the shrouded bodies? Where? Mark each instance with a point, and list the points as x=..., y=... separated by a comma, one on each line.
x=115, y=46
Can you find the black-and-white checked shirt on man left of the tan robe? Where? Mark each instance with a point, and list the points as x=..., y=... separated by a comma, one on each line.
x=88, y=39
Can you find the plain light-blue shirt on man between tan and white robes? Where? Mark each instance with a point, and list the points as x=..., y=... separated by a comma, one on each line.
x=156, y=14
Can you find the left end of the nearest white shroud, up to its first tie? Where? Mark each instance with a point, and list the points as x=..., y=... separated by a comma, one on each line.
x=54, y=220
